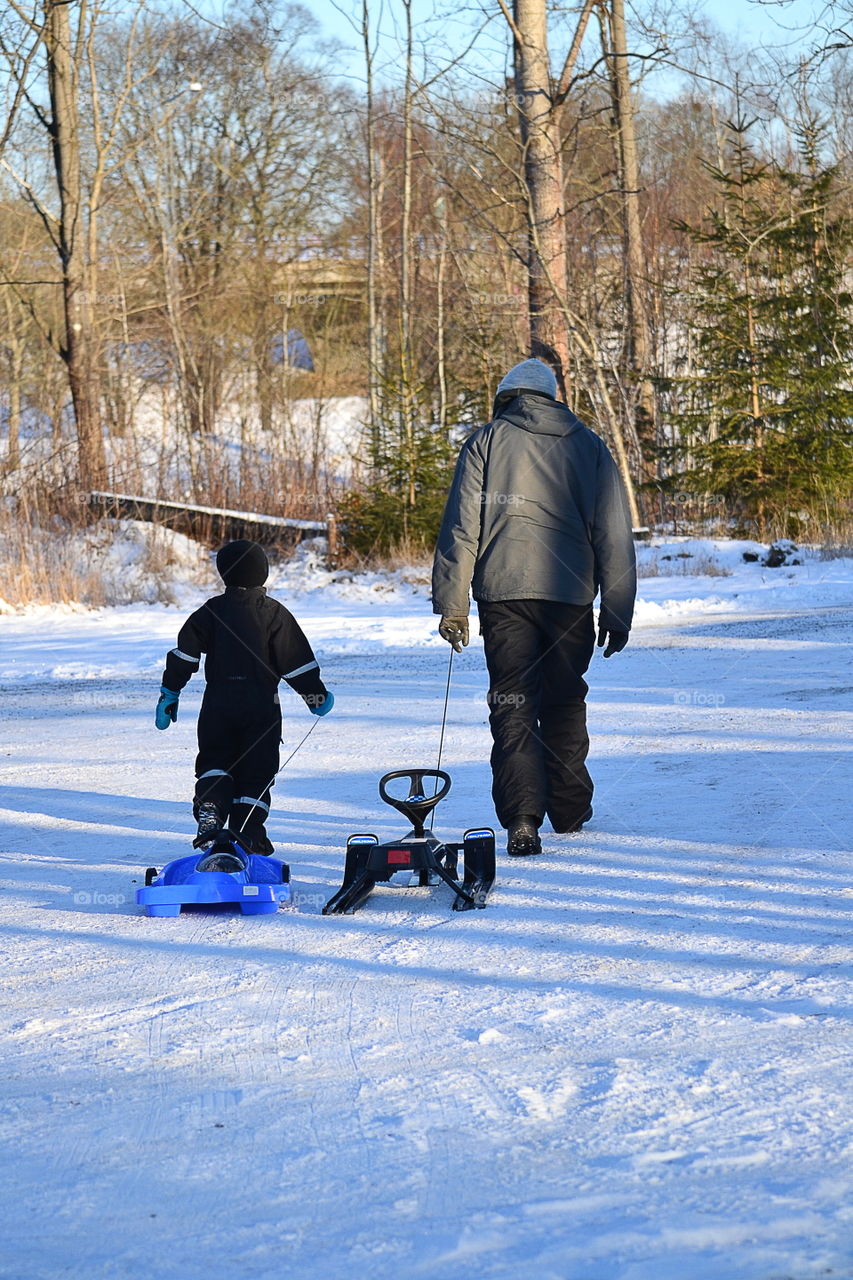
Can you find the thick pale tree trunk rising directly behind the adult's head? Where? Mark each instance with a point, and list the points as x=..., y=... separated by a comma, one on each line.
x=539, y=121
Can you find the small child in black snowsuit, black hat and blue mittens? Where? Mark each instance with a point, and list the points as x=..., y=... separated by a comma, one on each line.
x=252, y=642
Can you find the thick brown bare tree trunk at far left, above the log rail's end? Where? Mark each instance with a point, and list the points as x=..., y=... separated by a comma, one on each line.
x=79, y=351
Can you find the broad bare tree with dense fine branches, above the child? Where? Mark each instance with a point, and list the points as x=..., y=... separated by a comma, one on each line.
x=231, y=198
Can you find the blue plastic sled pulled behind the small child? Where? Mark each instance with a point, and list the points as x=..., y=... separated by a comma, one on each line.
x=225, y=875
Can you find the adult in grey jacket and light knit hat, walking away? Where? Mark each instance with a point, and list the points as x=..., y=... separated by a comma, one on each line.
x=536, y=523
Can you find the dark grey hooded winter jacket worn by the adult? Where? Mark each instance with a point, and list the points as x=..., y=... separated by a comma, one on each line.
x=537, y=511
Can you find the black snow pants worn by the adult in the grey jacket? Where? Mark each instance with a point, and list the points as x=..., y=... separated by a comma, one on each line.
x=537, y=653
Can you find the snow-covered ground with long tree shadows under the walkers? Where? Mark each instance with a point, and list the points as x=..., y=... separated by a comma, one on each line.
x=636, y=1064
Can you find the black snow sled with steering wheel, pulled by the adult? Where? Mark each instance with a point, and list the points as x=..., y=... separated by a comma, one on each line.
x=421, y=853
